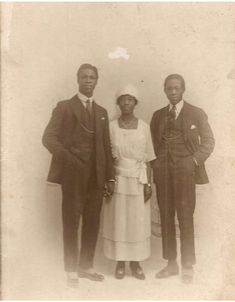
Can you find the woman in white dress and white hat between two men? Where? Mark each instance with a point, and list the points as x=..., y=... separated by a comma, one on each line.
x=127, y=221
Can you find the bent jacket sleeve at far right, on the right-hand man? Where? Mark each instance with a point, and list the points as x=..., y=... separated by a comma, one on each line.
x=207, y=141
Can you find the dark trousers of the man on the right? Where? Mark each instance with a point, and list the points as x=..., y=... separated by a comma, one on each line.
x=175, y=186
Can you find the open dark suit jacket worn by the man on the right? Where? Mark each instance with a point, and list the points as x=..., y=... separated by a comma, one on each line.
x=197, y=133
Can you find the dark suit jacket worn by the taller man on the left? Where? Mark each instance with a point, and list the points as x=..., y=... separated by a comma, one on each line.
x=61, y=138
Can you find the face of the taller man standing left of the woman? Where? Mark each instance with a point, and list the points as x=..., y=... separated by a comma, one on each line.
x=87, y=81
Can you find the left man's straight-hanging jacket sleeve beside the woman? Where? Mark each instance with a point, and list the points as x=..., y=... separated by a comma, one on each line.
x=110, y=174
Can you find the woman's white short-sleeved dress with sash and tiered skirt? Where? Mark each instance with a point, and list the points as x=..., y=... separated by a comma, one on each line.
x=127, y=218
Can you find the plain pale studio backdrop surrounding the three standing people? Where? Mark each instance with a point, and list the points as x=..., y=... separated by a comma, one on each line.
x=42, y=48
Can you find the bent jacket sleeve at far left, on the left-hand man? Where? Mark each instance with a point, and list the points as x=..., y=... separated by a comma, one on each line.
x=51, y=135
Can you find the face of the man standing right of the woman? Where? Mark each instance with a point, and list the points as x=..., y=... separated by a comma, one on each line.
x=174, y=91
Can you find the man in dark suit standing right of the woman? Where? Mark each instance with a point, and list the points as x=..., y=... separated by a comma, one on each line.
x=182, y=140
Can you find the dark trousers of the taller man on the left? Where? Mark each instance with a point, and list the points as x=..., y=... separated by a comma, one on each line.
x=81, y=197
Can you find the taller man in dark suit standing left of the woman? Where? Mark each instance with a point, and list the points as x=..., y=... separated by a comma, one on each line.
x=78, y=138
